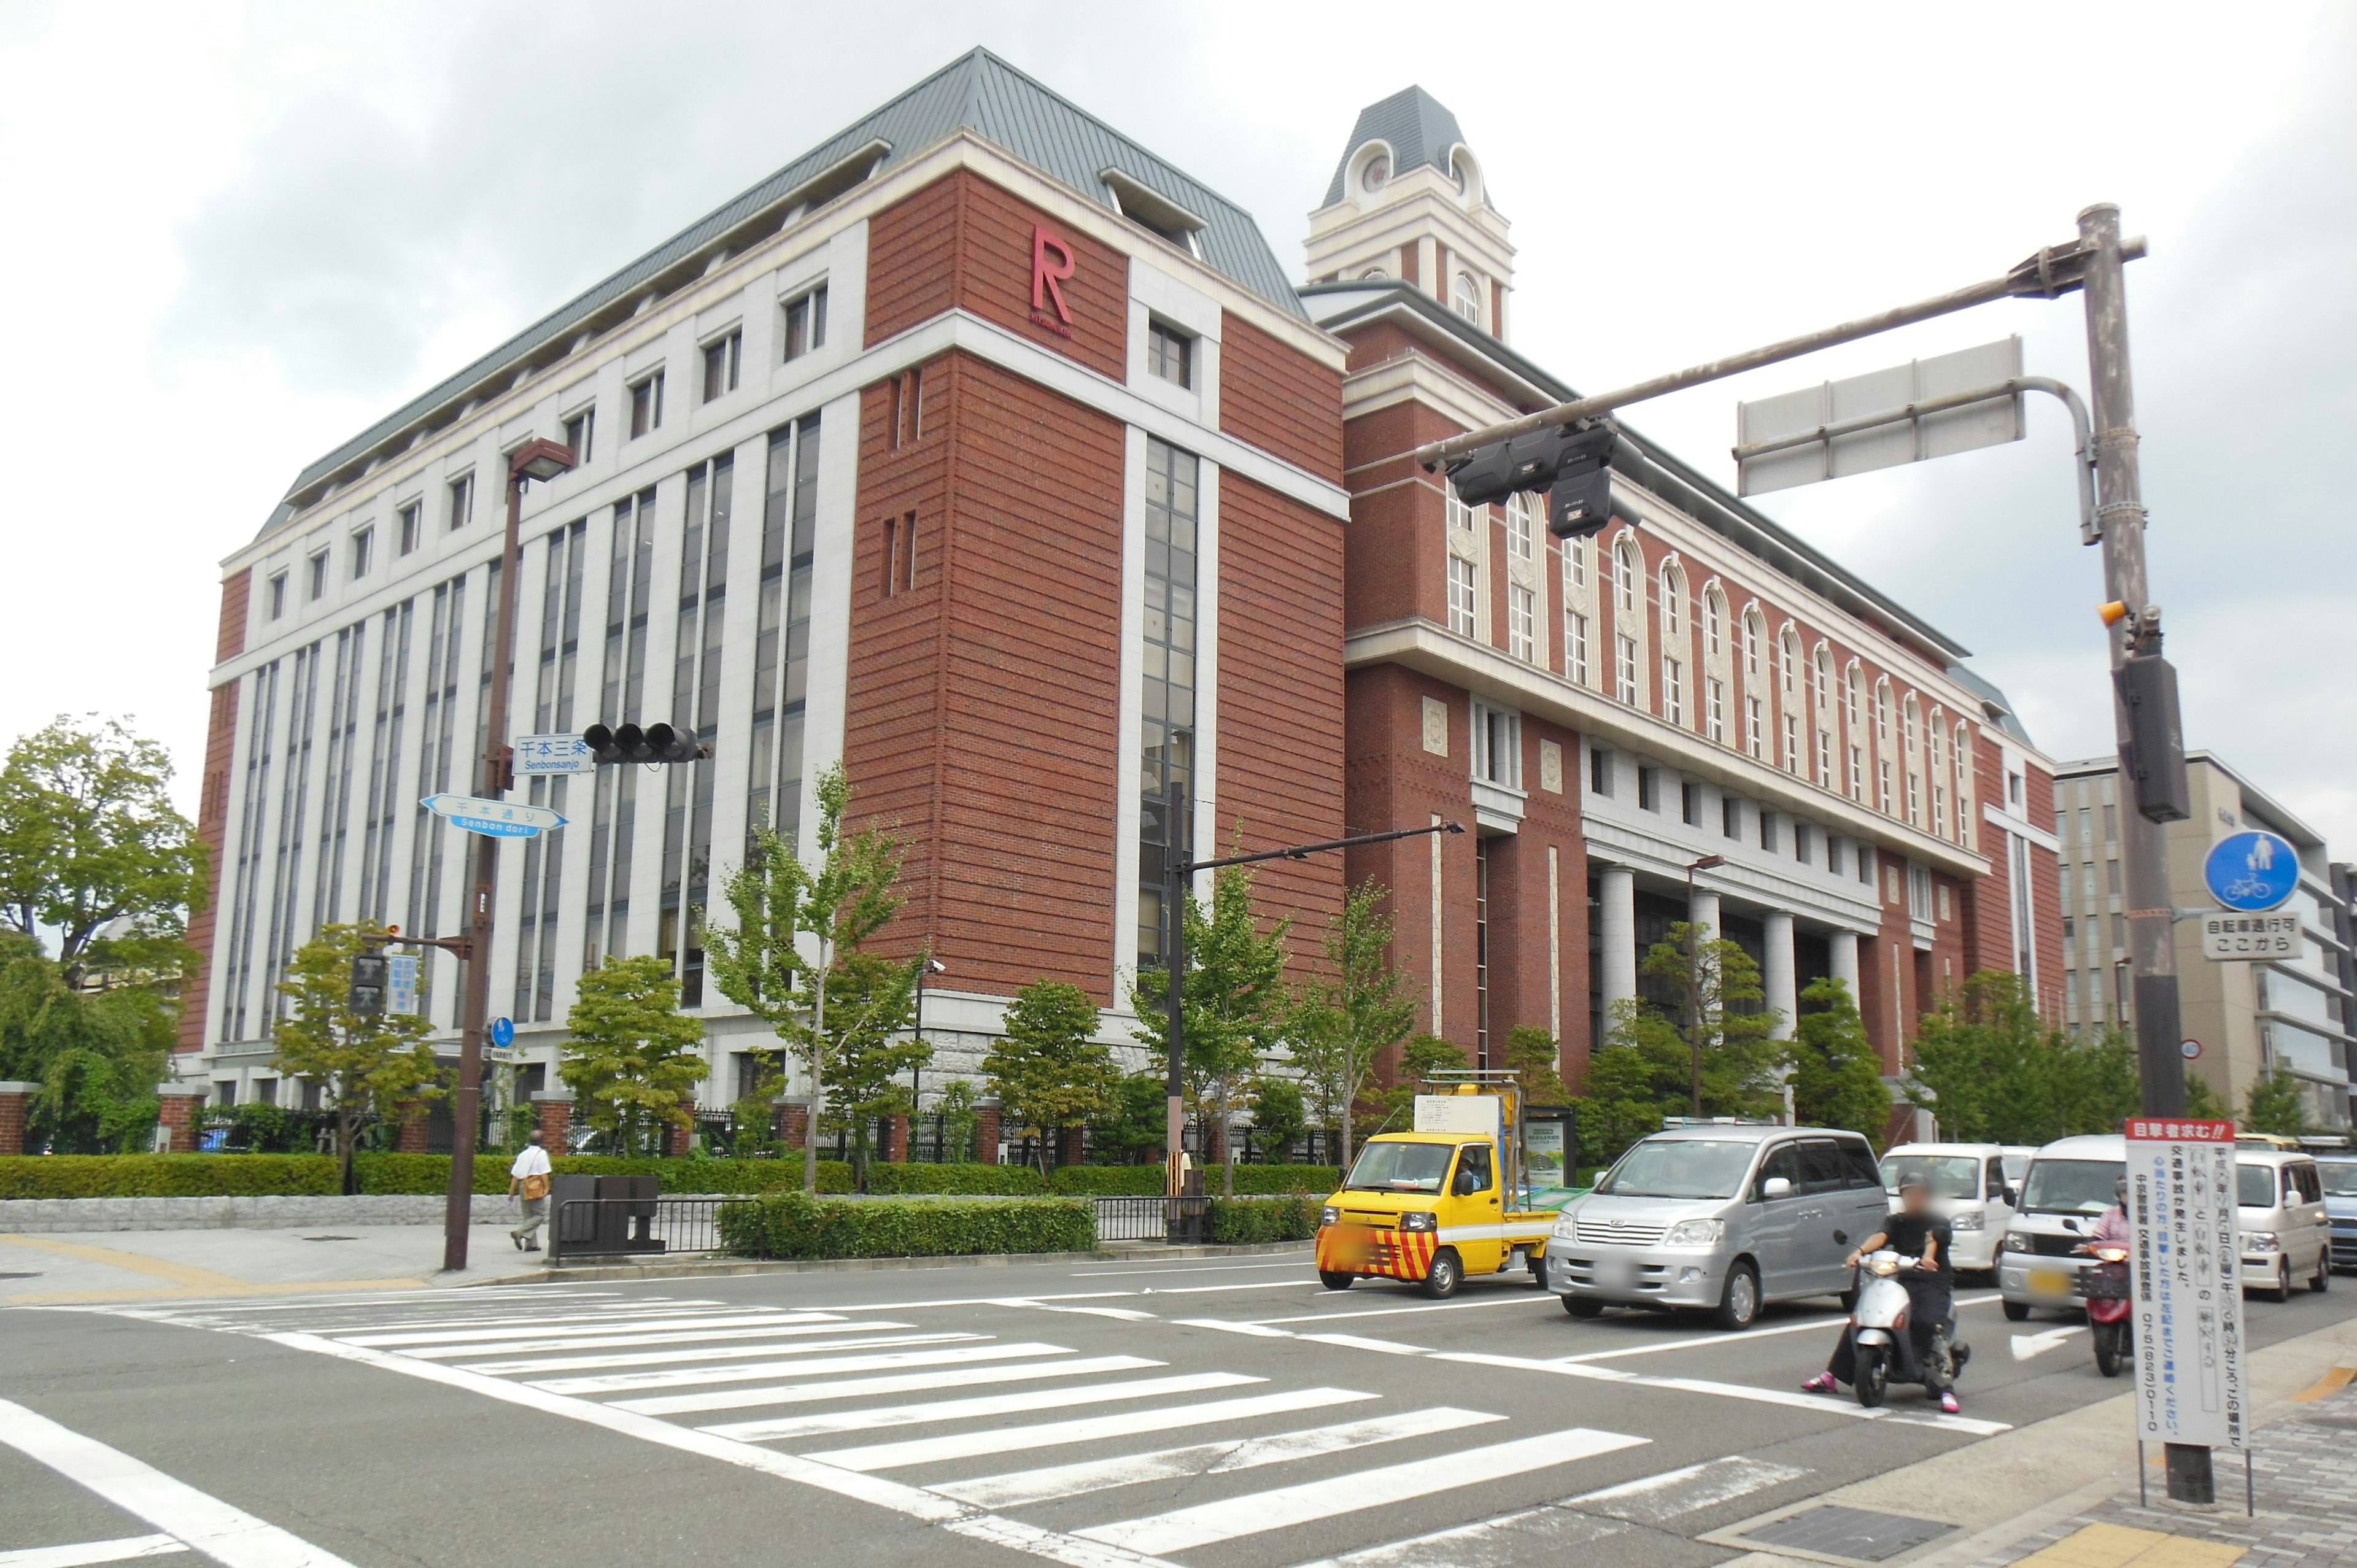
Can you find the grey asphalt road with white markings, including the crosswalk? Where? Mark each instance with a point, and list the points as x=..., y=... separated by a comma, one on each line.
x=1201, y=1411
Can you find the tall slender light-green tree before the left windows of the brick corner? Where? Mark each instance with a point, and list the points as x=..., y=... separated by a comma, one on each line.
x=779, y=907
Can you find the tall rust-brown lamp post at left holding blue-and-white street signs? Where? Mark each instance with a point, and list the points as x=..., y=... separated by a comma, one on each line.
x=527, y=463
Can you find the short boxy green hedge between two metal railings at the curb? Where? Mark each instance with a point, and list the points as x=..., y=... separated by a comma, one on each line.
x=793, y=1225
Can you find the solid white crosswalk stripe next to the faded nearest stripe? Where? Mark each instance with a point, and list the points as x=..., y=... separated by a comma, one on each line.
x=1349, y=1494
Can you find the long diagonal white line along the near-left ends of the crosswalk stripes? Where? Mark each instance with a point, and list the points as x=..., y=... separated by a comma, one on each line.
x=894, y=1496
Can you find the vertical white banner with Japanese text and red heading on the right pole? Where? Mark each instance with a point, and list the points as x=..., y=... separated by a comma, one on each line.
x=2188, y=1286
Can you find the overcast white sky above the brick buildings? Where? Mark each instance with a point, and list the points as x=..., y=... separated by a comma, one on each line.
x=242, y=232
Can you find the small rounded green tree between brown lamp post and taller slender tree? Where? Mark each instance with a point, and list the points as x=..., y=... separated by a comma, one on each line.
x=635, y=1058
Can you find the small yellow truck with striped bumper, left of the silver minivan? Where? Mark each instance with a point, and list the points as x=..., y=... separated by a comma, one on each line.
x=1439, y=1204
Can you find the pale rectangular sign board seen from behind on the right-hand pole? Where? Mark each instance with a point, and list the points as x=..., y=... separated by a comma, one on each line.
x=1896, y=433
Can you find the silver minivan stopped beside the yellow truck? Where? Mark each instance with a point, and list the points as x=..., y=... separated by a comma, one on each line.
x=1719, y=1218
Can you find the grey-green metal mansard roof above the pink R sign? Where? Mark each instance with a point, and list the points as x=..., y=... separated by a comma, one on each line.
x=977, y=93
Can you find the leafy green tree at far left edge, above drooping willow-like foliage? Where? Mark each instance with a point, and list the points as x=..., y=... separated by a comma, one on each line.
x=88, y=838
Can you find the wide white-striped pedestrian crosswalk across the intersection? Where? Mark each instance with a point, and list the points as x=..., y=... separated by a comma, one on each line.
x=932, y=1416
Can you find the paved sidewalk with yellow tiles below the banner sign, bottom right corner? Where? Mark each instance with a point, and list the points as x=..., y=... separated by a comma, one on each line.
x=2064, y=1494
